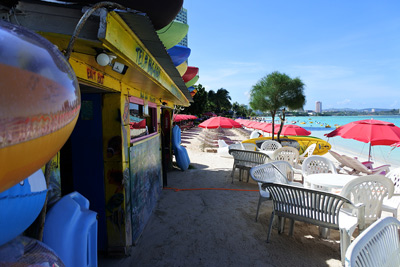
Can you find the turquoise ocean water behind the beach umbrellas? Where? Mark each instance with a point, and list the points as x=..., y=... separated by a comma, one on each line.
x=317, y=126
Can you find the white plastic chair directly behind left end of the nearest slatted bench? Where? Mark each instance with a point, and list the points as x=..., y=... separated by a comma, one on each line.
x=272, y=172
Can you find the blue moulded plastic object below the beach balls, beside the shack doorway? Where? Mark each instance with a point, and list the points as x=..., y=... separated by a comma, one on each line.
x=70, y=230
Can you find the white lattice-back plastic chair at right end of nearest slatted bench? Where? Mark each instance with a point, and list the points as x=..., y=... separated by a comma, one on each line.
x=369, y=190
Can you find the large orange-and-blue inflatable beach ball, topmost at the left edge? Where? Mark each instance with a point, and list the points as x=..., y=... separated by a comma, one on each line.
x=39, y=102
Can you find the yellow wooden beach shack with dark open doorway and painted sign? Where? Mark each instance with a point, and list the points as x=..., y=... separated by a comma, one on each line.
x=119, y=151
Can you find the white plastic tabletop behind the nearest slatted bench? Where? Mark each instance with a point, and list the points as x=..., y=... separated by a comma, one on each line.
x=329, y=181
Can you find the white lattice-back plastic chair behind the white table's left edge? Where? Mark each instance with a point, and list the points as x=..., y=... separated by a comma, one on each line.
x=316, y=164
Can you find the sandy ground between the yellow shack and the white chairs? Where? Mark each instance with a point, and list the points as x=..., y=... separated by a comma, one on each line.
x=202, y=219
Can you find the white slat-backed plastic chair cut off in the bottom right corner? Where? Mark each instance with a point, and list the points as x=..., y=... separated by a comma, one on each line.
x=378, y=245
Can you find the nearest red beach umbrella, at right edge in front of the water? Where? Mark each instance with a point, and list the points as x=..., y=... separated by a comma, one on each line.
x=374, y=132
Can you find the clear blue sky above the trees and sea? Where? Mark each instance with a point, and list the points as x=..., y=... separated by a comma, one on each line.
x=347, y=52
